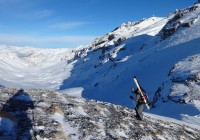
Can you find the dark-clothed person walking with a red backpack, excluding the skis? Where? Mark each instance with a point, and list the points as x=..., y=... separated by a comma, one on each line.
x=140, y=102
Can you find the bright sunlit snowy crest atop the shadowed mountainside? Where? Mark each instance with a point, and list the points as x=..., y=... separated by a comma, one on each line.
x=150, y=26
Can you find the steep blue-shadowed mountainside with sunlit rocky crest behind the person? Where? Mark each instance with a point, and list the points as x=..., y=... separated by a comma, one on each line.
x=162, y=52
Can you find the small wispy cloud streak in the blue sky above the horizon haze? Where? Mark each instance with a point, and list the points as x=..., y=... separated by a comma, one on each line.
x=69, y=25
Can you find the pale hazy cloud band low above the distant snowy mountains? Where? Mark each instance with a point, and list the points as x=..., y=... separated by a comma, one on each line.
x=46, y=41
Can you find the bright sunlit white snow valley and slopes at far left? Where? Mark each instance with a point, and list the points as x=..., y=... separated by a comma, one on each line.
x=34, y=68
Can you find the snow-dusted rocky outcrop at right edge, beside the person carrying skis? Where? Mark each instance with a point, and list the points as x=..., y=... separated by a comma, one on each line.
x=184, y=78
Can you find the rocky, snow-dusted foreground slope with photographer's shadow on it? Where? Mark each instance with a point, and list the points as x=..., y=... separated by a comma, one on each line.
x=43, y=114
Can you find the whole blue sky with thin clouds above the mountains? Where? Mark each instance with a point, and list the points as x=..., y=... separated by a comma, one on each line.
x=69, y=23
